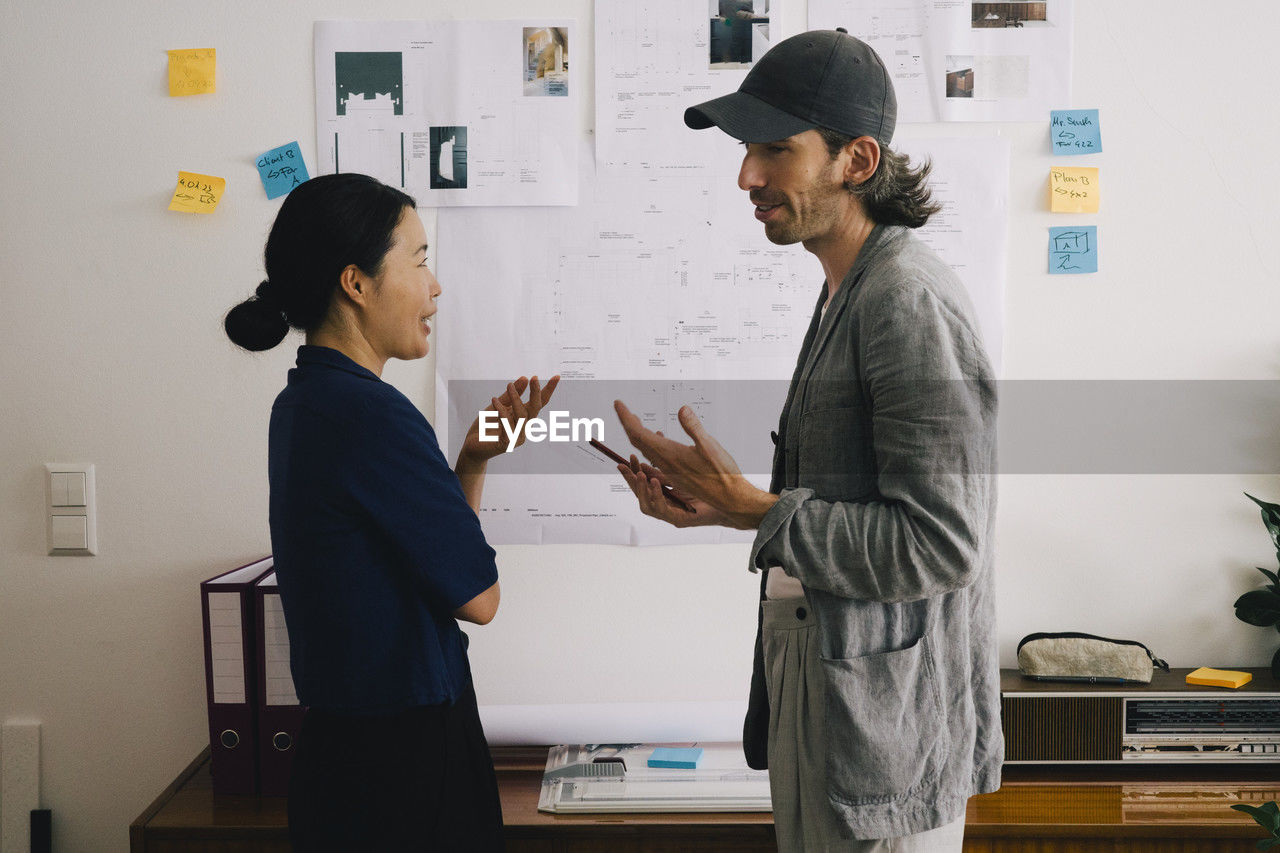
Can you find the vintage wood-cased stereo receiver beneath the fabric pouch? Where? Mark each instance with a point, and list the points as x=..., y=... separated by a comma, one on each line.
x=1164, y=722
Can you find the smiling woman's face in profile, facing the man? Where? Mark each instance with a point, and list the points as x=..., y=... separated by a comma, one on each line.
x=404, y=295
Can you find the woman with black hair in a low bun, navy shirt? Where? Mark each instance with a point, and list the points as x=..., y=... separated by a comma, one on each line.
x=377, y=544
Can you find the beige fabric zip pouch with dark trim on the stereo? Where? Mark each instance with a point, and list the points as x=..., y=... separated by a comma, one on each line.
x=1071, y=656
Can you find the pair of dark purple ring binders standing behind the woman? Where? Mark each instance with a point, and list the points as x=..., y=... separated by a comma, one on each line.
x=254, y=714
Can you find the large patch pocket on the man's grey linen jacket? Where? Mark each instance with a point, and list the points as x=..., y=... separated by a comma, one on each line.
x=885, y=732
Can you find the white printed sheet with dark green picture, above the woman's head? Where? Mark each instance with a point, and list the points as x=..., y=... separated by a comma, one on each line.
x=458, y=113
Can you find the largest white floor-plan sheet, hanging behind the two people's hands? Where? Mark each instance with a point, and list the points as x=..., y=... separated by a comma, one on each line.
x=657, y=293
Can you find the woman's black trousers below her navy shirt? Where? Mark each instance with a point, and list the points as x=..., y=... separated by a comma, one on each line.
x=418, y=781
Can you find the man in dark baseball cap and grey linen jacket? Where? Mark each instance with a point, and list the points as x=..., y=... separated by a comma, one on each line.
x=875, y=696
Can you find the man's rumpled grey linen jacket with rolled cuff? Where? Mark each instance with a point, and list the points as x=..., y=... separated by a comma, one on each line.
x=885, y=464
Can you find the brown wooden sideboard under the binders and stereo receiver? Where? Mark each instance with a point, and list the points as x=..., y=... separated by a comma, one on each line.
x=1041, y=810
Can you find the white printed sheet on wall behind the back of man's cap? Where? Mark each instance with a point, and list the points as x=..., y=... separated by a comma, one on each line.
x=956, y=61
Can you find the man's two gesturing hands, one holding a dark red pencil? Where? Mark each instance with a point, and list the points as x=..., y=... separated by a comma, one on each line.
x=705, y=476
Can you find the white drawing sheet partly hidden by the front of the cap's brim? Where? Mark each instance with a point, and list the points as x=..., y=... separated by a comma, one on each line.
x=653, y=58
